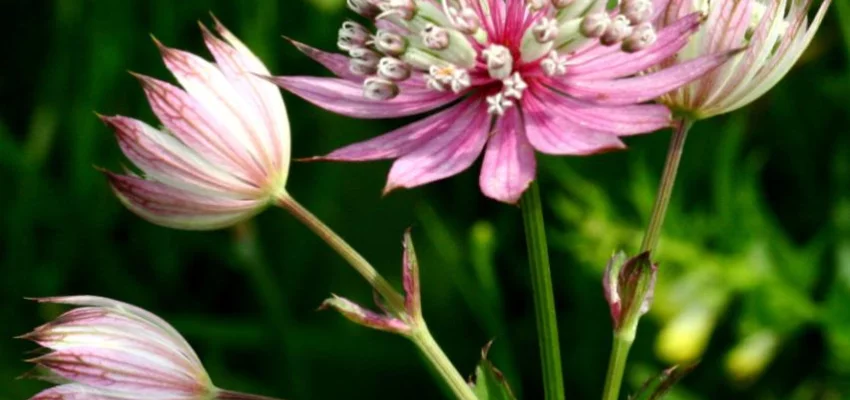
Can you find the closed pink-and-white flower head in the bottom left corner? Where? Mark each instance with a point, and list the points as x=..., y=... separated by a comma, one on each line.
x=106, y=349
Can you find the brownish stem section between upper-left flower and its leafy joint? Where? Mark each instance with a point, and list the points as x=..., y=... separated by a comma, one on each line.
x=394, y=300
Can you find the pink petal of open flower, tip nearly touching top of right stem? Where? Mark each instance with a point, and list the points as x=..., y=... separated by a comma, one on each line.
x=618, y=120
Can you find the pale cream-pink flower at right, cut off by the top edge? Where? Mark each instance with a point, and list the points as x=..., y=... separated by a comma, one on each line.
x=775, y=33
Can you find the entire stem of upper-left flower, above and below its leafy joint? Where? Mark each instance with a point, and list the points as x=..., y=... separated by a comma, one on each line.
x=395, y=301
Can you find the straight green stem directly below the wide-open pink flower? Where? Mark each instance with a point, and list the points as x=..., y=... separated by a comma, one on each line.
x=544, y=298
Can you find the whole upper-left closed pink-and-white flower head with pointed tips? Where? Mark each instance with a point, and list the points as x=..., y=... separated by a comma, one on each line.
x=223, y=152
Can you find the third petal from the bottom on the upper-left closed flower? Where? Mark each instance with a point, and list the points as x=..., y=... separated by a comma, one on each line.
x=183, y=116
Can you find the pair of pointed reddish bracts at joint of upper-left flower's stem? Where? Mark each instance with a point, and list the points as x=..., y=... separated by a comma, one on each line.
x=401, y=320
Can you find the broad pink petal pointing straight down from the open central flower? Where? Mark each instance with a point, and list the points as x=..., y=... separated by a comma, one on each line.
x=509, y=164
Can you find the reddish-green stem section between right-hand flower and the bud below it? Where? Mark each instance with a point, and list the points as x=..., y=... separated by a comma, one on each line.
x=665, y=189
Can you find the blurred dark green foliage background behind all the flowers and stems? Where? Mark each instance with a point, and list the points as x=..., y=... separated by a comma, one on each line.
x=755, y=260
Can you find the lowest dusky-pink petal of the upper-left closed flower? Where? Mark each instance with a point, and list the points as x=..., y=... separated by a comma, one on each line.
x=175, y=208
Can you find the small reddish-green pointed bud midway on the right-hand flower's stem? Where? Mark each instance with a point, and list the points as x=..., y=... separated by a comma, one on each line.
x=629, y=284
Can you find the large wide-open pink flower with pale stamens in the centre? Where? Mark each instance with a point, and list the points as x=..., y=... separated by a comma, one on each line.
x=513, y=76
